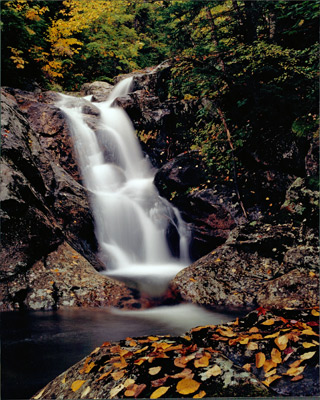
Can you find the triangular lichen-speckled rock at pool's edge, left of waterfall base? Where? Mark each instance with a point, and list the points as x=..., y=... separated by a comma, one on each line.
x=65, y=278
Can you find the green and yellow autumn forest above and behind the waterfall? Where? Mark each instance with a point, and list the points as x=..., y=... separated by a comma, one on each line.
x=251, y=66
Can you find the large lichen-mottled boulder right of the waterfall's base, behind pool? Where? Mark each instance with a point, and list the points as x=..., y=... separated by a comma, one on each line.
x=255, y=259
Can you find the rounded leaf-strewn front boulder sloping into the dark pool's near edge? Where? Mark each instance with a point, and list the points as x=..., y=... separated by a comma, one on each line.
x=142, y=367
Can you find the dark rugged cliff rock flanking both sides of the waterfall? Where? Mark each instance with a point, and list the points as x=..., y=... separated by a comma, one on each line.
x=46, y=211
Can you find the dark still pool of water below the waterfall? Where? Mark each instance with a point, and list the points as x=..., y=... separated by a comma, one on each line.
x=38, y=346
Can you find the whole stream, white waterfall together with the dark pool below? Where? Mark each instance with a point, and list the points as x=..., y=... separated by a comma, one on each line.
x=131, y=225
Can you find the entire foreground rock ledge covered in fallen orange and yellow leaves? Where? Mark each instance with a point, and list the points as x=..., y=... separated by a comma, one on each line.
x=250, y=357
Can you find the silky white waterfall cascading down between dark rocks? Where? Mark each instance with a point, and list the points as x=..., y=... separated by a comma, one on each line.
x=131, y=219
